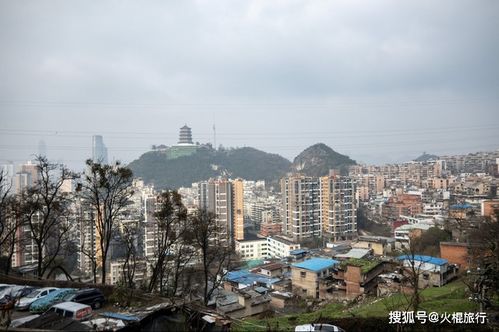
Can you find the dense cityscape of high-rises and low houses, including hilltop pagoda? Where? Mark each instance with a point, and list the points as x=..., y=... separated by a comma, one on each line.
x=244, y=249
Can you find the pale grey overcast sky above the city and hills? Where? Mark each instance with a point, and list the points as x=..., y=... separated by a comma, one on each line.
x=381, y=81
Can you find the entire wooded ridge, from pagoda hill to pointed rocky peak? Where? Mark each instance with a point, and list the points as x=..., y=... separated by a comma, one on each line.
x=247, y=163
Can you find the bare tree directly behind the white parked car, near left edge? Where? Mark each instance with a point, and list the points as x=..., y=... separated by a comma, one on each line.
x=45, y=208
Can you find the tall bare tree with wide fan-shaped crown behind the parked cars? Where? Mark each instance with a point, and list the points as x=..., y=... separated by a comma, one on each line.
x=107, y=189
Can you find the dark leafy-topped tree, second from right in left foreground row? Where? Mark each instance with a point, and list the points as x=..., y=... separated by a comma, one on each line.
x=170, y=217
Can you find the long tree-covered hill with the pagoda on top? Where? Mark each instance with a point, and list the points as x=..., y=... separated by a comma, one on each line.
x=247, y=163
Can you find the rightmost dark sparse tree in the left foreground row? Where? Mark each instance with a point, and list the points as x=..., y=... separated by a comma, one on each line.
x=216, y=256
